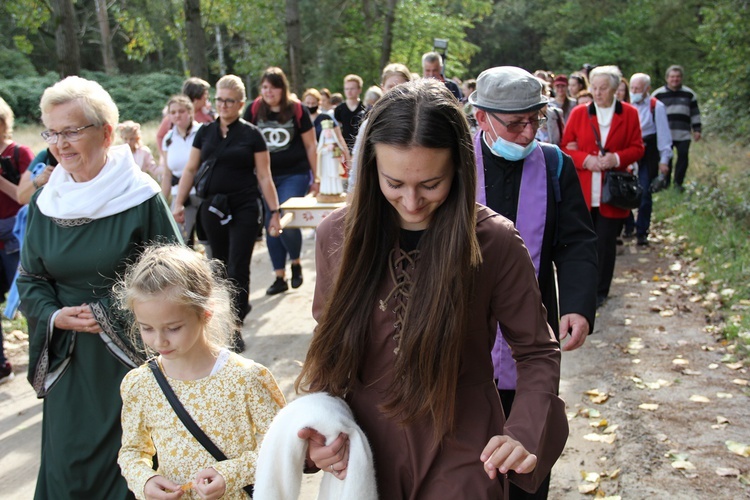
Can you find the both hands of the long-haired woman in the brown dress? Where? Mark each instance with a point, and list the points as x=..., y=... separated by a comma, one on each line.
x=502, y=453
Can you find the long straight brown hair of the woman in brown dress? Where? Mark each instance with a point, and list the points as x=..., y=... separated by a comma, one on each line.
x=420, y=113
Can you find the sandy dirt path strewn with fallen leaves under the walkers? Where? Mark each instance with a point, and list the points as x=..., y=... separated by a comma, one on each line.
x=629, y=361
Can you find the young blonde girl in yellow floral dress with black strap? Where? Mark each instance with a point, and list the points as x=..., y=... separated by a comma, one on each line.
x=183, y=312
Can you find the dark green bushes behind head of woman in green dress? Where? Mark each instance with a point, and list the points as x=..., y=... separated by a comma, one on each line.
x=138, y=97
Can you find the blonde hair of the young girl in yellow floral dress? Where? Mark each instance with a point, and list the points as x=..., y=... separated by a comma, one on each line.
x=187, y=278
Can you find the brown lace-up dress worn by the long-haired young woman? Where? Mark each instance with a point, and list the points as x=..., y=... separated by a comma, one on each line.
x=407, y=464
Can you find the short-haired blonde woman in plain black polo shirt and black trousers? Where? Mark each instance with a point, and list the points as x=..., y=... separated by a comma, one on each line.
x=229, y=215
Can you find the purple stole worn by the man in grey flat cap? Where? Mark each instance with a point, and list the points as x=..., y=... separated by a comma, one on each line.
x=531, y=218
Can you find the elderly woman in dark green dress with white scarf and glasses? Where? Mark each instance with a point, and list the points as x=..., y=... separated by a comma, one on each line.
x=84, y=226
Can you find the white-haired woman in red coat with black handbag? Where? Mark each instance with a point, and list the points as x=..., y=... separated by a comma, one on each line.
x=604, y=135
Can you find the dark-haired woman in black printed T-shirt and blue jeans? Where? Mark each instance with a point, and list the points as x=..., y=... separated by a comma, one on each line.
x=290, y=136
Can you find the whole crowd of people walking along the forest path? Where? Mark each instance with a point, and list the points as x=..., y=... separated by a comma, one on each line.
x=478, y=239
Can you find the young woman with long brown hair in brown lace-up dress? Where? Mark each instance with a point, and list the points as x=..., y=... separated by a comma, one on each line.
x=412, y=279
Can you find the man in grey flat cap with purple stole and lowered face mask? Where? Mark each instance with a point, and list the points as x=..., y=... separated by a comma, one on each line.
x=536, y=186
